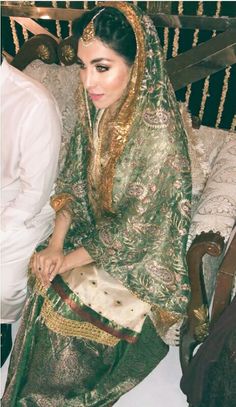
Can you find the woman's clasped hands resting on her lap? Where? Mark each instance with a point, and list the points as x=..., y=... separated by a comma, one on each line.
x=46, y=262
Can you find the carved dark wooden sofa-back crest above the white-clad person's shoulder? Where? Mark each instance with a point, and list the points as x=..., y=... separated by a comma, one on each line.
x=41, y=46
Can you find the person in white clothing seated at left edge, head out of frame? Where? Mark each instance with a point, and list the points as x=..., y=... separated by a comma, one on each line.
x=31, y=132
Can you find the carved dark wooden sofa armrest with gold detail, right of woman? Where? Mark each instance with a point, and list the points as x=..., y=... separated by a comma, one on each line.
x=196, y=327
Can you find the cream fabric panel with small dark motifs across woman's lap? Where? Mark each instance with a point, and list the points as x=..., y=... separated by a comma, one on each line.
x=107, y=296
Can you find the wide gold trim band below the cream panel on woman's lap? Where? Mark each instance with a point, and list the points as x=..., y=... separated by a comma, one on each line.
x=57, y=323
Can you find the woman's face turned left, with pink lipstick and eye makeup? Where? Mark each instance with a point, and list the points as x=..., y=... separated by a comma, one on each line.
x=104, y=73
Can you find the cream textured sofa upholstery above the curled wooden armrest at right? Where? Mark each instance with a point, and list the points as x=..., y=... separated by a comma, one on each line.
x=216, y=210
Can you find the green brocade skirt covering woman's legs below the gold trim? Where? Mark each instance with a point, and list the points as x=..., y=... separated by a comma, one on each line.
x=51, y=370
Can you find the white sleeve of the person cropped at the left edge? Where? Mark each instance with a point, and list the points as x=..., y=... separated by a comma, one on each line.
x=40, y=136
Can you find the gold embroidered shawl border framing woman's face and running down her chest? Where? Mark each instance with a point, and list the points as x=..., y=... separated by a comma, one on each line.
x=126, y=115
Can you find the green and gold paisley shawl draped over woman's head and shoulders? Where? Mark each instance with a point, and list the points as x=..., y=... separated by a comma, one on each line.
x=130, y=197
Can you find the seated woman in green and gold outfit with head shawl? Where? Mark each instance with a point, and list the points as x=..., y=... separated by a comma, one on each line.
x=113, y=278
